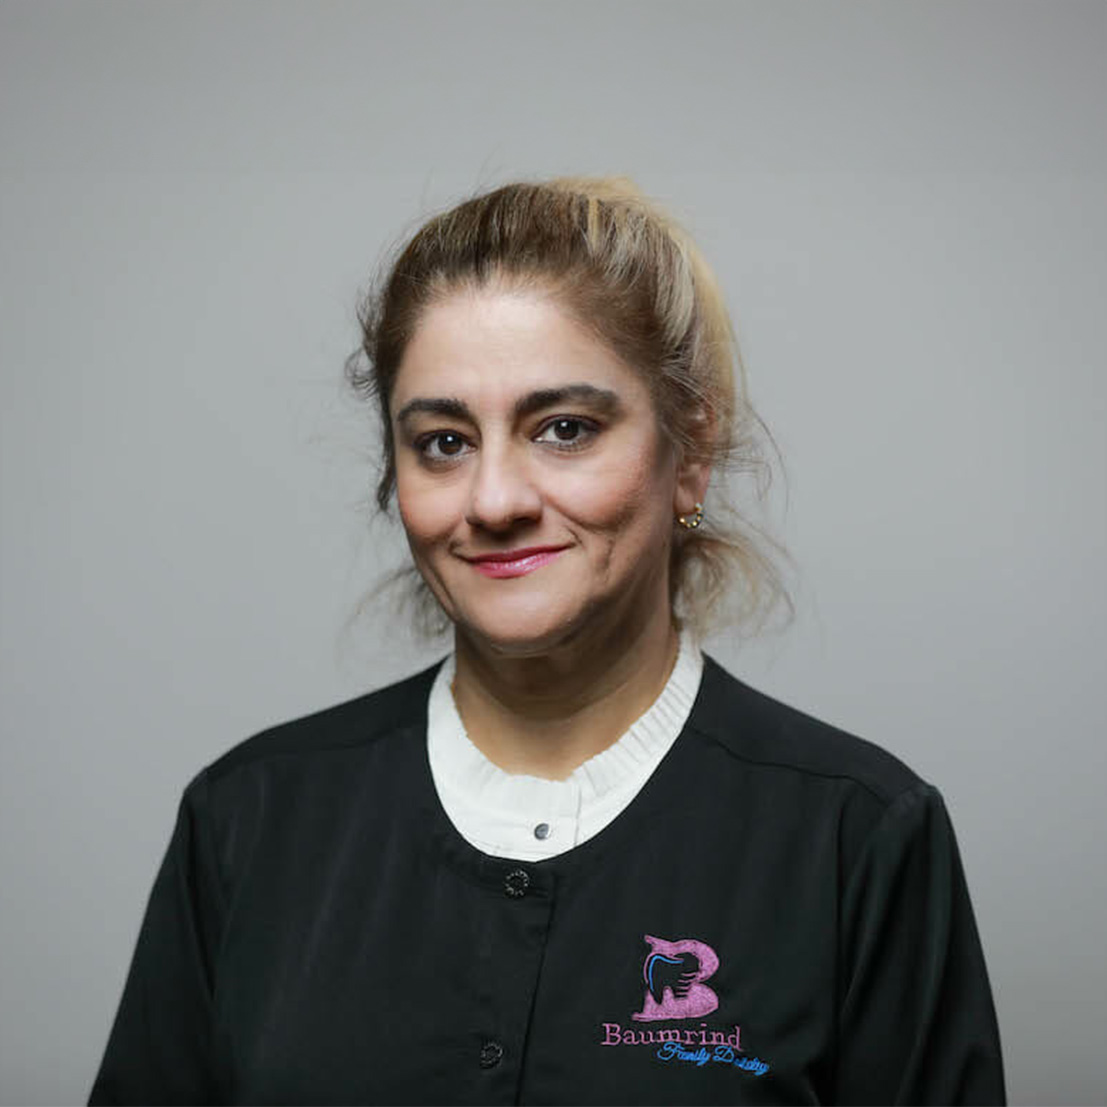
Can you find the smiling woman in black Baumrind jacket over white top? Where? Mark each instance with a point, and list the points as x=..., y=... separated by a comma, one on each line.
x=577, y=862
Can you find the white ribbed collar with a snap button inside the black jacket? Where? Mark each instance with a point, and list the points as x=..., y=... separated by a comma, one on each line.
x=503, y=814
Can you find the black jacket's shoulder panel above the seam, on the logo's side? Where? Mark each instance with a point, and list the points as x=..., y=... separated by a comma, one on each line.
x=765, y=733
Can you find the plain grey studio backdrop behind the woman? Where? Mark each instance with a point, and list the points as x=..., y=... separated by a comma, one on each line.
x=906, y=206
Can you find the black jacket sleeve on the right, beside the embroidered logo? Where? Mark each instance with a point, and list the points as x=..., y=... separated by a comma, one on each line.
x=917, y=1020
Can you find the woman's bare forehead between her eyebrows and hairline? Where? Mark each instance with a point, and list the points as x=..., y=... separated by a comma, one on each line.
x=490, y=347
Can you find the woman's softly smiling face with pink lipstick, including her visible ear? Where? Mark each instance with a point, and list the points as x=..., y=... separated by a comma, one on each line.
x=537, y=491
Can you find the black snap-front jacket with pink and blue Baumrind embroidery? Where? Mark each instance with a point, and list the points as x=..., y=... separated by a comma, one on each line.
x=780, y=917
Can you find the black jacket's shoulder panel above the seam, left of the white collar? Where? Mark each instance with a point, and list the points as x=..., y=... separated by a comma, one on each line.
x=354, y=723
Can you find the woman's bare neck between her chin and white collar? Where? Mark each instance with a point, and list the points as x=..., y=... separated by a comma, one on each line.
x=546, y=716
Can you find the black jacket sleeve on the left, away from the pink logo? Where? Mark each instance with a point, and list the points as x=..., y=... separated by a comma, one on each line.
x=161, y=1047
